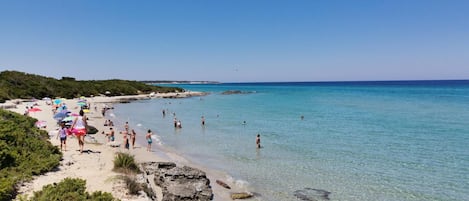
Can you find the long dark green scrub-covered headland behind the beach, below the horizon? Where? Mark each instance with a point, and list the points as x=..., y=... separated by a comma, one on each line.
x=14, y=84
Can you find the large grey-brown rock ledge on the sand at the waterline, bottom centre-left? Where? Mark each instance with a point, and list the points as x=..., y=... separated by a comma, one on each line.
x=179, y=183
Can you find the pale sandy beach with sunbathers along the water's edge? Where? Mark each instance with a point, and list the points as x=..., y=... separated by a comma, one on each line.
x=95, y=164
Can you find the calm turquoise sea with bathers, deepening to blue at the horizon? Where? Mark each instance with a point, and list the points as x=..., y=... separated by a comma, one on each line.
x=383, y=140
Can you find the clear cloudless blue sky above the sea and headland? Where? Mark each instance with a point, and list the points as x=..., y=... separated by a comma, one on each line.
x=237, y=40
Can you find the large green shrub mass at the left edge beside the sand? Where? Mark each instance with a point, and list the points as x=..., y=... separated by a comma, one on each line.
x=24, y=152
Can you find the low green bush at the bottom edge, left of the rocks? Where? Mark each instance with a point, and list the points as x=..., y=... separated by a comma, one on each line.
x=70, y=189
